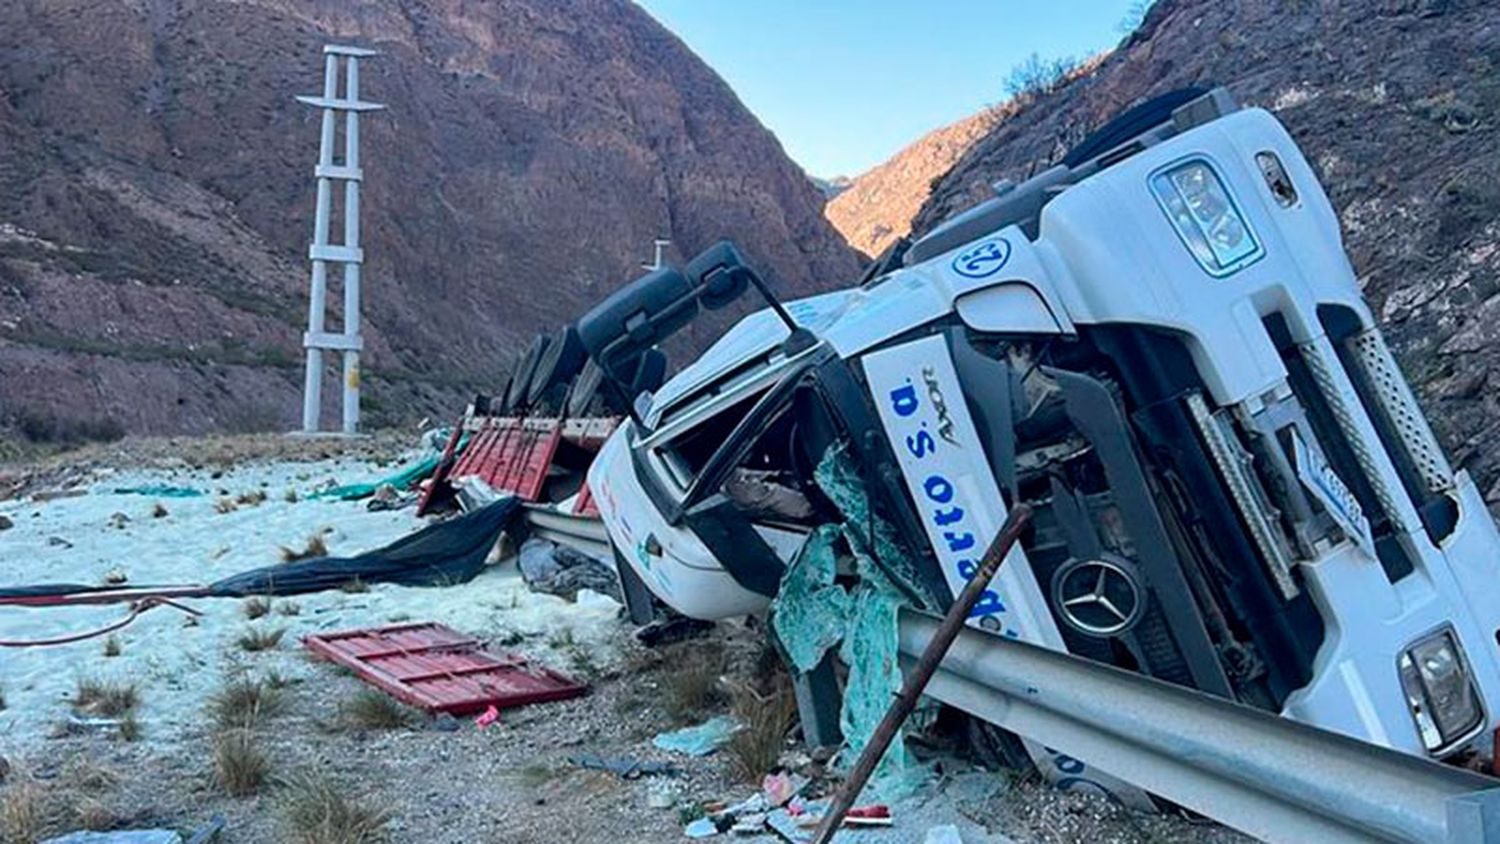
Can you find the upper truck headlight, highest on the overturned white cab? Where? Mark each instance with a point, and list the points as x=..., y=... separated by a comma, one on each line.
x=1205, y=217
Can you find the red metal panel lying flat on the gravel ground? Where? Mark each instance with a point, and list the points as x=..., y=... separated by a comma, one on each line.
x=440, y=669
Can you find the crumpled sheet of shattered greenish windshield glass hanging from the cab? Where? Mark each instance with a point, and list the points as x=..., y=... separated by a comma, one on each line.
x=814, y=612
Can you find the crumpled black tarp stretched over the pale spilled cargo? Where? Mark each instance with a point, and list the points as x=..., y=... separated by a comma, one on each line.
x=440, y=555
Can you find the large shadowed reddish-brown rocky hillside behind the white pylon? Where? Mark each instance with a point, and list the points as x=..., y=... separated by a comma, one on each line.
x=157, y=196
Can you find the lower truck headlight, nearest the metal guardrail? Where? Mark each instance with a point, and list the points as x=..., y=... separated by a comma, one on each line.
x=1439, y=692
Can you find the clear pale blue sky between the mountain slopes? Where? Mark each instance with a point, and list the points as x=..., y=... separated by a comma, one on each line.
x=847, y=83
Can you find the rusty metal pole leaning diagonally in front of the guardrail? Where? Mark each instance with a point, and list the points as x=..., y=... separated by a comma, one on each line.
x=923, y=672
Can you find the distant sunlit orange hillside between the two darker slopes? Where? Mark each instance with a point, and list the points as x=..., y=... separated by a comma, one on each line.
x=880, y=205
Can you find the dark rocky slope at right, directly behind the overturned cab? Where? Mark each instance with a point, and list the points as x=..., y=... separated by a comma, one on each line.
x=1396, y=103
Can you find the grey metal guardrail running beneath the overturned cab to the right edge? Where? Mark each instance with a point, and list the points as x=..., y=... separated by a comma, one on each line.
x=1267, y=776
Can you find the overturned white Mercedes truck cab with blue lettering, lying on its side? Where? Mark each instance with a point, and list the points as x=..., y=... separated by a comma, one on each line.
x=1160, y=346
